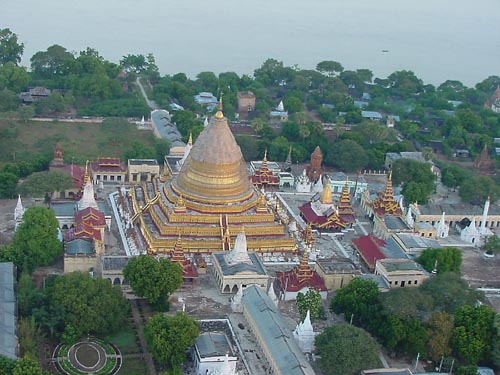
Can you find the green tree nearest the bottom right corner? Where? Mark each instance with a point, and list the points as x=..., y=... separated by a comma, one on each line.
x=473, y=333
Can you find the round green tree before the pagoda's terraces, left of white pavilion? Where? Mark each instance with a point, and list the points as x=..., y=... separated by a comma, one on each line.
x=153, y=279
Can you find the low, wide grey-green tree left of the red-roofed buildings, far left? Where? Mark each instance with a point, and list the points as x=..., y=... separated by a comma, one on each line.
x=39, y=183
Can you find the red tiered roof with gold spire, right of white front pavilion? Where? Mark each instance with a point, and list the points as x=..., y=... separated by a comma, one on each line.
x=301, y=277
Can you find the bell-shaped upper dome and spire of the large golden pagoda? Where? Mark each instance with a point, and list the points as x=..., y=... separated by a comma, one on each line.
x=214, y=171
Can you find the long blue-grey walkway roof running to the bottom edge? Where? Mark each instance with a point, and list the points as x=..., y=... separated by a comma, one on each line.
x=276, y=337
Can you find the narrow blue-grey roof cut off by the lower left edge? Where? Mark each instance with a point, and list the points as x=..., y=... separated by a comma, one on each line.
x=8, y=341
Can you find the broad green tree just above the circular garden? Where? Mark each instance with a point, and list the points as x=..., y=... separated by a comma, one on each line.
x=89, y=306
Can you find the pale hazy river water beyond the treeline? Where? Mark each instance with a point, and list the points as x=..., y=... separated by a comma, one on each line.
x=437, y=39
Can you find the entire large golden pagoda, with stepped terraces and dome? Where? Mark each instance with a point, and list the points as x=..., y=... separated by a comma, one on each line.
x=211, y=194
